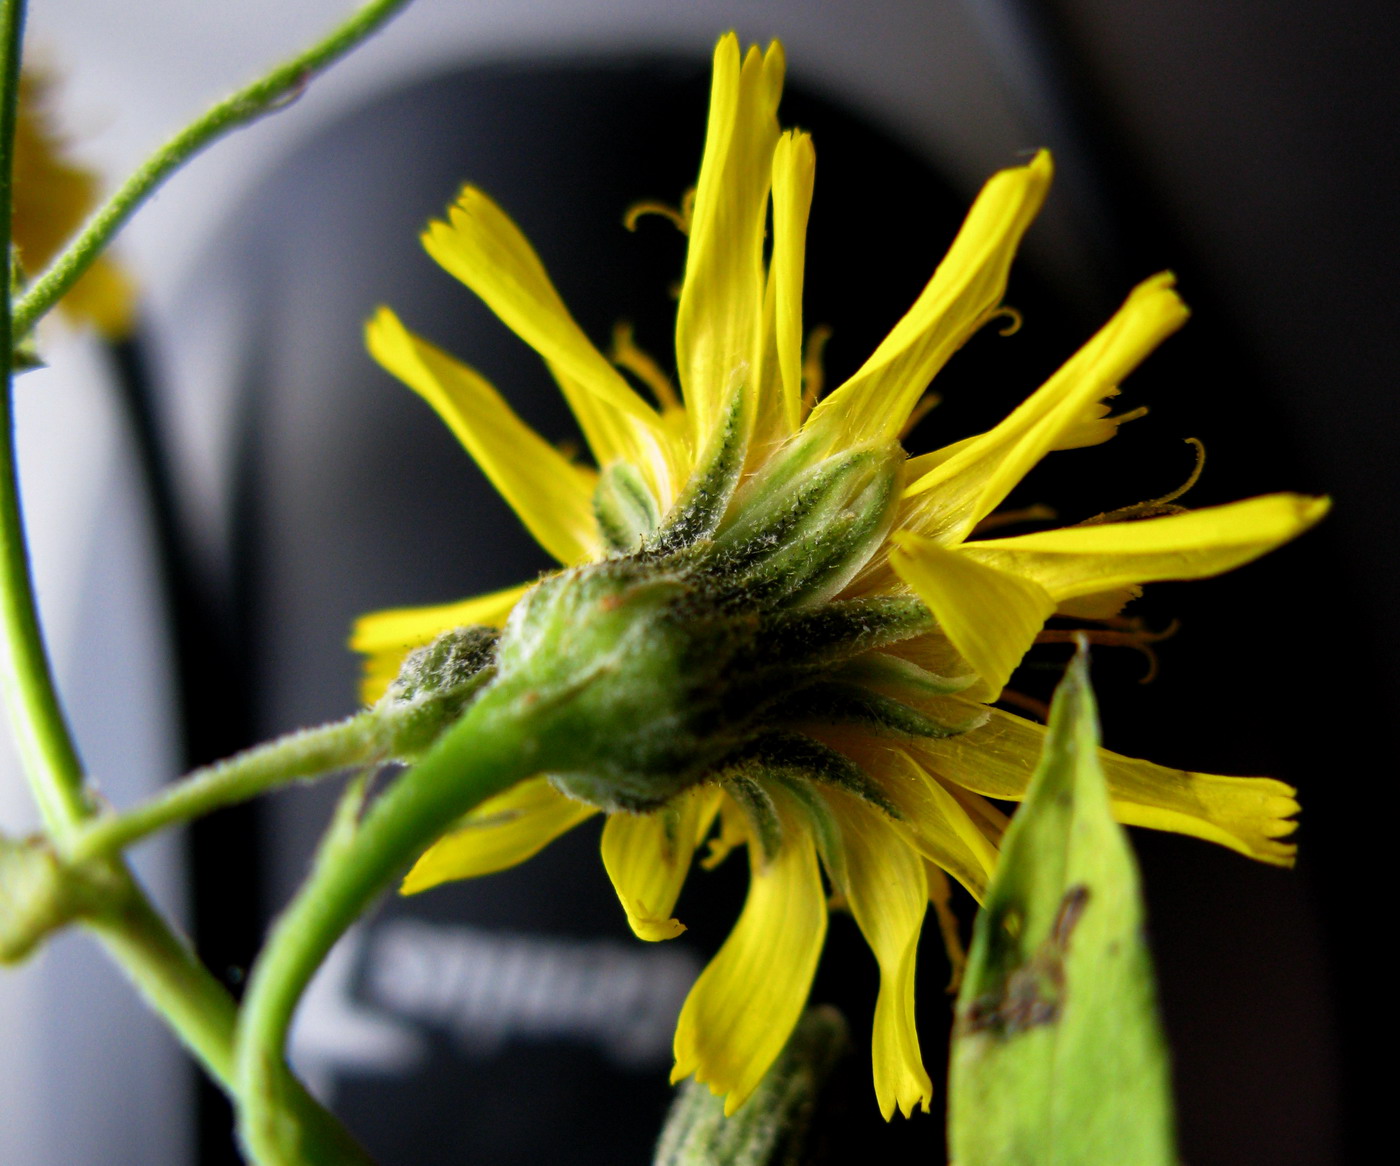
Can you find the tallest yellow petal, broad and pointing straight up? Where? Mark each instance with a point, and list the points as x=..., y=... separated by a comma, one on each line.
x=722, y=300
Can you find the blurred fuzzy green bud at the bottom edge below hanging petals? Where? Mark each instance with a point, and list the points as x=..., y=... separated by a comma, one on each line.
x=772, y=1128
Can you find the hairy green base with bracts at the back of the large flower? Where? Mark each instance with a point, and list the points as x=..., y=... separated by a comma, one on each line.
x=649, y=673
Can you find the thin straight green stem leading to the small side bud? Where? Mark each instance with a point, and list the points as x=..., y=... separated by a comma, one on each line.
x=296, y=757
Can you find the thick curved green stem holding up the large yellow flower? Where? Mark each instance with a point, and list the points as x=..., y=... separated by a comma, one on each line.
x=486, y=752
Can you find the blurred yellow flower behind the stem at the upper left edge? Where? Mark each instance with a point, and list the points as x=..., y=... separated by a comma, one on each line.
x=52, y=197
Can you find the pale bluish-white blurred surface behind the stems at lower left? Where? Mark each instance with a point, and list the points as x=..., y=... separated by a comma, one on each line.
x=87, y=1076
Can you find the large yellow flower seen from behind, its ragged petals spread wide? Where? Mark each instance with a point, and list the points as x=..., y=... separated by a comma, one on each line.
x=878, y=765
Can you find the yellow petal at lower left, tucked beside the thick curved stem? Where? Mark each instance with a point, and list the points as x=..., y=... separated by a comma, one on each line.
x=500, y=834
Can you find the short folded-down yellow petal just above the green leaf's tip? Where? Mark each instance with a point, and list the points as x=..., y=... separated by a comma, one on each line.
x=990, y=617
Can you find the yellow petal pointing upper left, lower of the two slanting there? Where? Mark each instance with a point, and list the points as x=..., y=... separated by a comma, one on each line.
x=552, y=498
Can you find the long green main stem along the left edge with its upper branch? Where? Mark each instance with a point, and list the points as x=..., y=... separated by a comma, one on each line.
x=159, y=962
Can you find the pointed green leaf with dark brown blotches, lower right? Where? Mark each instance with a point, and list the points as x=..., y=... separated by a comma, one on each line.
x=1058, y=1056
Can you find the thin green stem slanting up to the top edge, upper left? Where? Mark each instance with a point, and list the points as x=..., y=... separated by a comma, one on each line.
x=264, y=96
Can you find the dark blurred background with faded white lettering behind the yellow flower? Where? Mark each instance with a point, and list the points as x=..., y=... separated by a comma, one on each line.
x=1251, y=148
